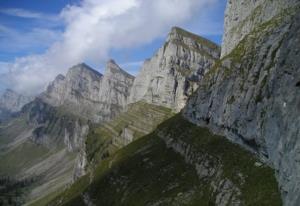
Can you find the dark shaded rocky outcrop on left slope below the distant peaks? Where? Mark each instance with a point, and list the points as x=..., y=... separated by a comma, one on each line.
x=54, y=128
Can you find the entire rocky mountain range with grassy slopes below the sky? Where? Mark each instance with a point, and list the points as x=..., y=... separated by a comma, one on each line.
x=113, y=139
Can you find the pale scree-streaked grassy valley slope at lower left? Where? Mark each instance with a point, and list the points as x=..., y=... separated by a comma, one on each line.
x=51, y=168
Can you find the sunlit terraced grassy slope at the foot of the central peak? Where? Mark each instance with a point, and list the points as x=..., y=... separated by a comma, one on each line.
x=140, y=118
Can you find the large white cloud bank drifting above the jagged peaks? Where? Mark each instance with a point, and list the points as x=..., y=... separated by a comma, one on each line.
x=93, y=28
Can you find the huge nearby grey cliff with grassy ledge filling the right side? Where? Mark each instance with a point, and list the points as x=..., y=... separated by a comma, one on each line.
x=252, y=95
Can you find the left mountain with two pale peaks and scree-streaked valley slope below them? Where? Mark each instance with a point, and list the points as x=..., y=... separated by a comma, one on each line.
x=41, y=145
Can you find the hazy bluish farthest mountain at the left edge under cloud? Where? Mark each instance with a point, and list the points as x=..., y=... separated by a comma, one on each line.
x=11, y=102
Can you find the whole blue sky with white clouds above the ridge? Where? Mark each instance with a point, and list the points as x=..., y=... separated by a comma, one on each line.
x=41, y=39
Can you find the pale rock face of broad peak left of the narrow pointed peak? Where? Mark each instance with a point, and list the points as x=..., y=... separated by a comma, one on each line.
x=78, y=92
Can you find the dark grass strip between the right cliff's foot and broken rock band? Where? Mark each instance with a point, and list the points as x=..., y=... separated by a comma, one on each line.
x=260, y=185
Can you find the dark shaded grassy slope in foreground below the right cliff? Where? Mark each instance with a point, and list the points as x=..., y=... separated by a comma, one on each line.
x=146, y=172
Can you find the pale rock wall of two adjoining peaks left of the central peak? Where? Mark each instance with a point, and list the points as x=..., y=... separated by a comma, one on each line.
x=88, y=93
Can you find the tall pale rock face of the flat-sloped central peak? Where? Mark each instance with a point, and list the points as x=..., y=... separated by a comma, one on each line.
x=168, y=78
